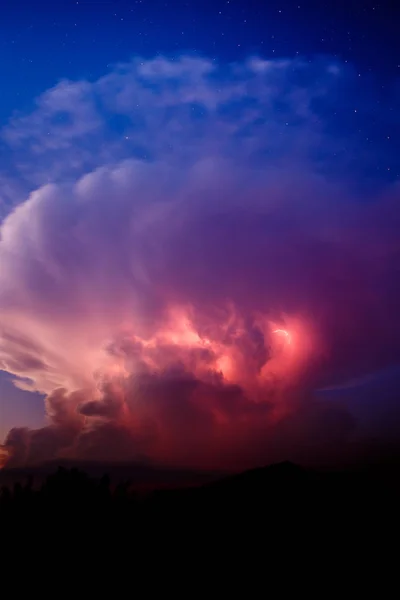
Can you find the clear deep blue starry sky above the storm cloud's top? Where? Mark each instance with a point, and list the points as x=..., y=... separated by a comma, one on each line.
x=44, y=41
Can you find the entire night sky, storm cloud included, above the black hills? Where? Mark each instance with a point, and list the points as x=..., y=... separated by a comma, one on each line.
x=199, y=212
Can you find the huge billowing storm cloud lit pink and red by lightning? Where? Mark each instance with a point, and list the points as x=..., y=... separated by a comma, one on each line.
x=193, y=264
